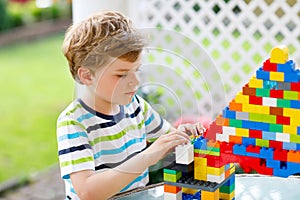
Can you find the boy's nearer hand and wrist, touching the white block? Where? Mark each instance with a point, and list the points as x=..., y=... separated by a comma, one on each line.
x=165, y=144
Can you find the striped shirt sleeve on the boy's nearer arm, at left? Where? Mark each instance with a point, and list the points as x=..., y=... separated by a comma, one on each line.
x=74, y=151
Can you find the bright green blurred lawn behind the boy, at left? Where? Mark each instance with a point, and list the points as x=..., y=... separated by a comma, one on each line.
x=35, y=87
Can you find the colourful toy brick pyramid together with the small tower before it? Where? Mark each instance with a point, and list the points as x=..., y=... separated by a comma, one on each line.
x=259, y=130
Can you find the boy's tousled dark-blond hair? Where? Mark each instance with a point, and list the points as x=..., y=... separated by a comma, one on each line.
x=94, y=42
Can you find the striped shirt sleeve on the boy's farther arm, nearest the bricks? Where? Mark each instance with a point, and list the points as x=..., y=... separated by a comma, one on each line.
x=155, y=125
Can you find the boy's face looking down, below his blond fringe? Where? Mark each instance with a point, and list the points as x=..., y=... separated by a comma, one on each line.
x=117, y=83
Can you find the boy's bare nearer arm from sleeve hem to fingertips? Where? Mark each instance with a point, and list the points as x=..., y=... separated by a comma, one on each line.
x=90, y=185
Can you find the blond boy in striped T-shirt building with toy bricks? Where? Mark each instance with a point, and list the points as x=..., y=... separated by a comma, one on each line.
x=102, y=136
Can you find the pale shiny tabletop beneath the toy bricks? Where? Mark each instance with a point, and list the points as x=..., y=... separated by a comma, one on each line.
x=247, y=187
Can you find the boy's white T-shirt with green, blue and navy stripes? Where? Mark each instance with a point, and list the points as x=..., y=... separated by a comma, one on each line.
x=89, y=140
